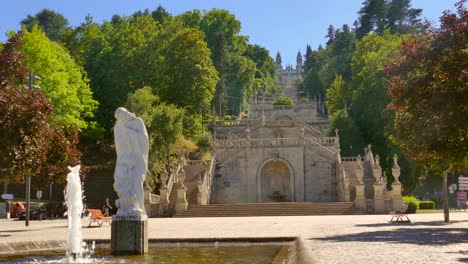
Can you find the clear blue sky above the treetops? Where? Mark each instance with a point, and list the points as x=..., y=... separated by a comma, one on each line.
x=286, y=26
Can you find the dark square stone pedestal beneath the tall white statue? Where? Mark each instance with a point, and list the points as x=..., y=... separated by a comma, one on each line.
x=129, y=237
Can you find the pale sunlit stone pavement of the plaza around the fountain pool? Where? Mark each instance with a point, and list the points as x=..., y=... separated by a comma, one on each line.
x=331, y=239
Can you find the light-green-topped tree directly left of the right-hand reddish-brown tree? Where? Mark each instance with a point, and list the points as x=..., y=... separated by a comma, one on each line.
x=369, y=87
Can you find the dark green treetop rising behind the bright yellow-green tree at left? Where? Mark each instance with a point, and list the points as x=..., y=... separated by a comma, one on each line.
x=54, y=24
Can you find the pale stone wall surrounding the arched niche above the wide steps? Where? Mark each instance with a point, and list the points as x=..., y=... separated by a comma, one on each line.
x=313, y=176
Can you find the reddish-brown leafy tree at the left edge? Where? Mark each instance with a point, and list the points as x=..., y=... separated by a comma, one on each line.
x=29, y=143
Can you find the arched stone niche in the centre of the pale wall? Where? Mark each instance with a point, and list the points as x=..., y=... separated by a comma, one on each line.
x=275, y=181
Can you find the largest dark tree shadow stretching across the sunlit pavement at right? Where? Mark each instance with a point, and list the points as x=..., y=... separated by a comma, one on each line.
x=416, y=236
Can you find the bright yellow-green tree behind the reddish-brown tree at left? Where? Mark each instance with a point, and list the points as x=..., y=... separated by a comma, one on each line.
x=63, y=81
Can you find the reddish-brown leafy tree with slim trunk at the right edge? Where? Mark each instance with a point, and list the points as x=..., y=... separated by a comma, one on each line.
x=429, y=94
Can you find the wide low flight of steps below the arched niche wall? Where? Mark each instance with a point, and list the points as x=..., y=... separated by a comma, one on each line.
x=271, y=209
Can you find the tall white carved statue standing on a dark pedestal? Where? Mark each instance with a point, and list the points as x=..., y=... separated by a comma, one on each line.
x=131, y=144
